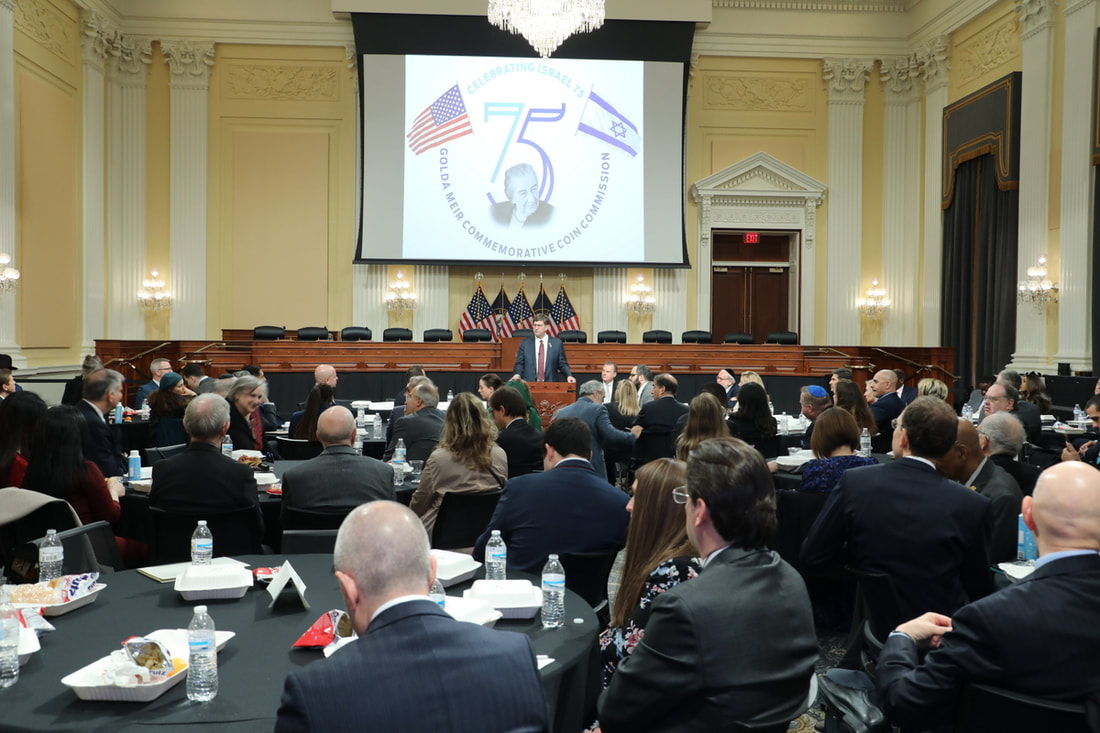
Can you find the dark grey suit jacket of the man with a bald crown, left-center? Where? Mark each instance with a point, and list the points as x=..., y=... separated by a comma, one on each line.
x=338, y=479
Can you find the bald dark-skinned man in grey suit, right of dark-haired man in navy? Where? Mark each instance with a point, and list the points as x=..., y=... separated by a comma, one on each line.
x=969, y=465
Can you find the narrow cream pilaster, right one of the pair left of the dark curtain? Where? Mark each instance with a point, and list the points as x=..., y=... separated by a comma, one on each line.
x=936, y=63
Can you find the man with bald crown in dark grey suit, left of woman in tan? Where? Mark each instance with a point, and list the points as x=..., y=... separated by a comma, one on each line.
x=342, y=478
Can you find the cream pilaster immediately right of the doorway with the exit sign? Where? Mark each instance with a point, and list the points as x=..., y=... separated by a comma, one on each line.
x=845, y=80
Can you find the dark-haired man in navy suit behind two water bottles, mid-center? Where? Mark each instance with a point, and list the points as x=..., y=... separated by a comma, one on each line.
x=569, y=508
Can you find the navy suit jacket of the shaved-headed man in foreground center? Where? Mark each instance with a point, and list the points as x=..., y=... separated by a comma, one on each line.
x=416, y=669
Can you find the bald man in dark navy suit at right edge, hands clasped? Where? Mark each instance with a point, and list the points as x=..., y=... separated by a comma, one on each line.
x=1038, y=637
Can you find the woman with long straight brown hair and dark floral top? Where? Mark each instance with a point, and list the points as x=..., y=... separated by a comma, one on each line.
x=659, y=556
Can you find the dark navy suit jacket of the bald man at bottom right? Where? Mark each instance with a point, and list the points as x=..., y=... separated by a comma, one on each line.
x=1037, y=637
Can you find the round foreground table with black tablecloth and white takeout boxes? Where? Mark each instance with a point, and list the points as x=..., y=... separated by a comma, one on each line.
x=254, y=664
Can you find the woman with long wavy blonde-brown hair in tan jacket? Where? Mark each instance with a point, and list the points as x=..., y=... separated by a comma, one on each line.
x=467, y=461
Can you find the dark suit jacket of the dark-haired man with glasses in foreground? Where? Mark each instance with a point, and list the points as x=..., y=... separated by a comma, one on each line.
x=683, y=675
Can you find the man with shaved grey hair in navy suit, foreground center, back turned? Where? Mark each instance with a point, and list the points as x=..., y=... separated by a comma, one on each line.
x=413, y=668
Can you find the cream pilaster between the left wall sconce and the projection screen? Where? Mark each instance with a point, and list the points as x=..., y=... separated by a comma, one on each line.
x=190, y=64
